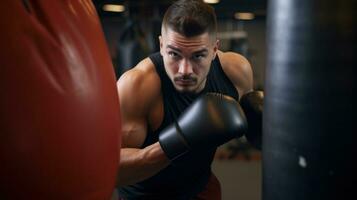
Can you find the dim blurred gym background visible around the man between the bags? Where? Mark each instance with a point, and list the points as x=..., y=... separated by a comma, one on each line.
x=132, y=28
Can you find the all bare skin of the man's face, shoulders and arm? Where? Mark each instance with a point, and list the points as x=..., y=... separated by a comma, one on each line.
x=187, y=63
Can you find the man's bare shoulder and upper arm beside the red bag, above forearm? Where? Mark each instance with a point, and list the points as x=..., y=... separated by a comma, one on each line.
x=139, y=92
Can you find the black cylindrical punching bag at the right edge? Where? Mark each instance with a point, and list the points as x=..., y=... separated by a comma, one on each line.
x=309, y=137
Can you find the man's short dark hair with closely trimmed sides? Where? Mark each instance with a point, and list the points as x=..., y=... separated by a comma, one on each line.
x=190, y=18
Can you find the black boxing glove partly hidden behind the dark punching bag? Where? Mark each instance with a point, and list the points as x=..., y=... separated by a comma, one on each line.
x=252, y=105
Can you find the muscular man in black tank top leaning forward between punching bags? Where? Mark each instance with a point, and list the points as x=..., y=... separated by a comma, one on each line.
x=155, y=93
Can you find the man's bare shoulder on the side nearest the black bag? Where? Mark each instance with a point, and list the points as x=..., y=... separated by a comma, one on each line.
x=238, y=70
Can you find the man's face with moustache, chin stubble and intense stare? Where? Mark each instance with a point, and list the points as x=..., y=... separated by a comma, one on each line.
x=187, y=60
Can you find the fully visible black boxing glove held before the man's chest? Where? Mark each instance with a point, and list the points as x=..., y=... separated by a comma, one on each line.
x=213, y=119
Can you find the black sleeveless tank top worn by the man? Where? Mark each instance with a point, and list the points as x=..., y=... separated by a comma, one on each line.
x=189, y=177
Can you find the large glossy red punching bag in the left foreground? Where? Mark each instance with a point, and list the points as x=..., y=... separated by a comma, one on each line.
x=59, y=108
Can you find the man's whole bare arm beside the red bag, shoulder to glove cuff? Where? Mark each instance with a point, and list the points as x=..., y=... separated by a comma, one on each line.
x=138, y=89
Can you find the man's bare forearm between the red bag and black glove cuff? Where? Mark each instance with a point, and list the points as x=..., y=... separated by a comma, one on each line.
x=139, y=164
